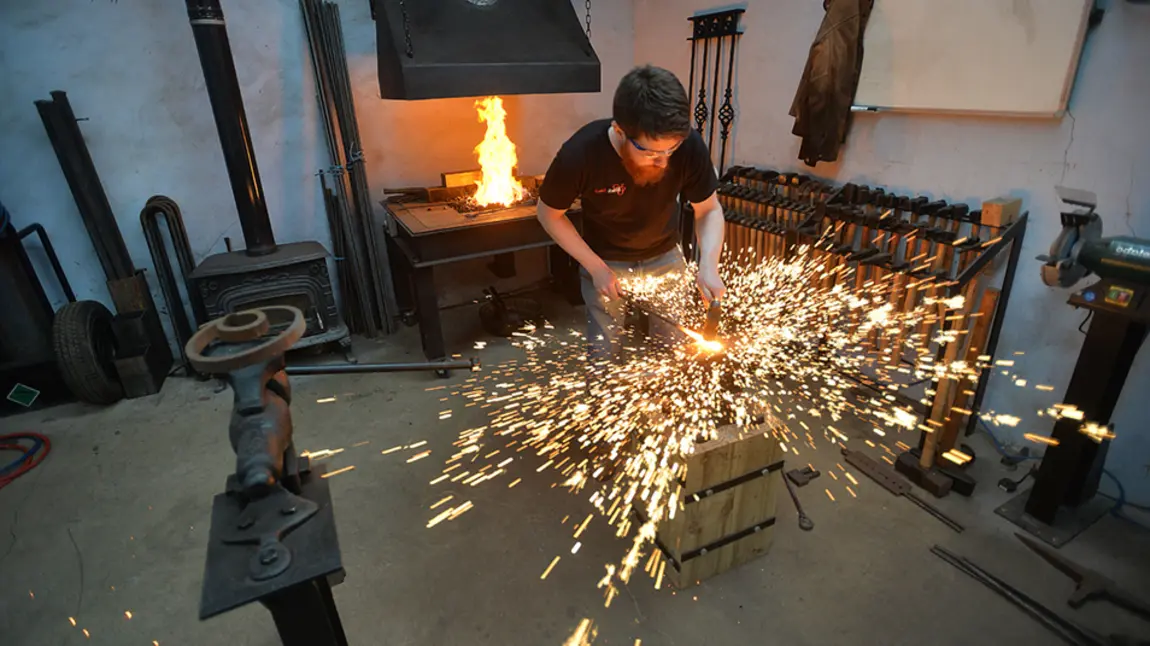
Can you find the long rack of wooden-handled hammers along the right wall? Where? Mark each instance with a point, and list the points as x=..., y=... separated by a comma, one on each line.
x=886, y=236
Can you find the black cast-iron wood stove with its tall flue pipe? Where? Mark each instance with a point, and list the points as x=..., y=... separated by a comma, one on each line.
x=265, y=273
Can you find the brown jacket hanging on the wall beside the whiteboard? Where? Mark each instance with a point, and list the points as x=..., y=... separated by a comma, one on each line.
x=823, y=104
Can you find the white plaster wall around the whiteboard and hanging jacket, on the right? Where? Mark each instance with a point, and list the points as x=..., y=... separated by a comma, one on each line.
x=1106, y=149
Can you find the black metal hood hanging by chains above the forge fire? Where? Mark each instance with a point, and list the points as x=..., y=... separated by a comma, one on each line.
x=440, y=49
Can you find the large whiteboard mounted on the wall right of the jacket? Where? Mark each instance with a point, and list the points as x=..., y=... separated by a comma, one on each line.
x=1000, y=57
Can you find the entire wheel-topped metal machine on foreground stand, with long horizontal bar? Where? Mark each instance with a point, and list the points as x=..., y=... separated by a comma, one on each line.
x=273, y=535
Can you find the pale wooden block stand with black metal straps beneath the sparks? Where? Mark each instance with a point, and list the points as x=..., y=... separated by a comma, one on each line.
x=729, y=511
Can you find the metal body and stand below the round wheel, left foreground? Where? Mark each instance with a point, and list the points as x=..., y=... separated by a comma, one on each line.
x=275, y=544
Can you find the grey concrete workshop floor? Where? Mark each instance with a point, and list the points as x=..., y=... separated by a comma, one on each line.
x=117, y=520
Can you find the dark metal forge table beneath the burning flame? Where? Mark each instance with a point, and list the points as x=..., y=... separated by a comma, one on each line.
x=423, y=236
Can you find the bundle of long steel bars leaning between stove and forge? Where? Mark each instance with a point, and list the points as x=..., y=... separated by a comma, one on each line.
x=364, y=270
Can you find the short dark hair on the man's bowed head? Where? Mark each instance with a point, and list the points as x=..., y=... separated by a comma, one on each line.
x=651, y=102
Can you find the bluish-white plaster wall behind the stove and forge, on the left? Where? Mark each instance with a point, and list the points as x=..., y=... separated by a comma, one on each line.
x=132, y=70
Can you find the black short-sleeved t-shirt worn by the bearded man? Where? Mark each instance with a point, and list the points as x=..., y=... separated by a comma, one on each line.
x=622, y=220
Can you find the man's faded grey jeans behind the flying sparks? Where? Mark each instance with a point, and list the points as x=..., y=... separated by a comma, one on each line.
x=605, y=319
